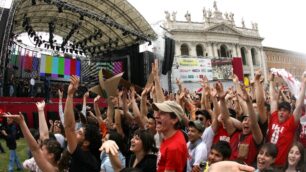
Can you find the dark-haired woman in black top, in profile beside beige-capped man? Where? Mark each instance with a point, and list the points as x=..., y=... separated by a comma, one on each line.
x=144, y=149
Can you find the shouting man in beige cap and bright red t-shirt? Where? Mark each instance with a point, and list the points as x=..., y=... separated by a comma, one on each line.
x=173, y=154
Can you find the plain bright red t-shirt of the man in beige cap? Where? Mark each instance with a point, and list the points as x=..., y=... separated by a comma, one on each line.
x=173, y=153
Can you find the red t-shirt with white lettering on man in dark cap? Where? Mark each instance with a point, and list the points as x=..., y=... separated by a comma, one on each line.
x=281, y=134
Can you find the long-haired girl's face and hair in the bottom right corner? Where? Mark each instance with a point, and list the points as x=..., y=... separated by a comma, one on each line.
x=295, y=158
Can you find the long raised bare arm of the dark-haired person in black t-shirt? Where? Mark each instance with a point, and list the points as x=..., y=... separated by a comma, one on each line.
x=69, y=115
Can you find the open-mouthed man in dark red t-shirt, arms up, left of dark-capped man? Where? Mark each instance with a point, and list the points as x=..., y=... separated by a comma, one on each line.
x=245, y=142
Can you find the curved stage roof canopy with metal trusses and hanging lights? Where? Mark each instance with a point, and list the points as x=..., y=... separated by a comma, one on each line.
x=91, y=25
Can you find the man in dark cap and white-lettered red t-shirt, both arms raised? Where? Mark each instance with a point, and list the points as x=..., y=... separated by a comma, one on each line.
x=283, y=125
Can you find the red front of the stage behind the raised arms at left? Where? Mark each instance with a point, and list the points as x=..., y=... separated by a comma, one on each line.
x=27, y=106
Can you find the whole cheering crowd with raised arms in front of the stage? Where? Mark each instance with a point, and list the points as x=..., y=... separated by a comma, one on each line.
x=216, y=129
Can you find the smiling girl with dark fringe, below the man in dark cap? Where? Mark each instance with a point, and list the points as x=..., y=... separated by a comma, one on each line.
x=266, y=157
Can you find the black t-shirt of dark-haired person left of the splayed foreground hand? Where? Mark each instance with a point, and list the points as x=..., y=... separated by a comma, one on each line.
x=83, y=161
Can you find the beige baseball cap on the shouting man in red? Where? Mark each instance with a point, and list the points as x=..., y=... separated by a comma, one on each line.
x=170, y=106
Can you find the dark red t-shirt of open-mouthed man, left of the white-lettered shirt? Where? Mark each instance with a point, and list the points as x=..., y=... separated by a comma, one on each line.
x=248, y=139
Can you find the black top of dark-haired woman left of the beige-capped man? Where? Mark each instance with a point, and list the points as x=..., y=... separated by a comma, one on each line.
x=147, y=164
